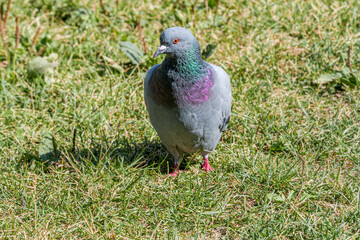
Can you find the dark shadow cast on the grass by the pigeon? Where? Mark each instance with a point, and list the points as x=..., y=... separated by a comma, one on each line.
x=120, y=152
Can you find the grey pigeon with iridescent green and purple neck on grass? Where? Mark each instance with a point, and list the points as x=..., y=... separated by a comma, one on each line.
x=188, y=99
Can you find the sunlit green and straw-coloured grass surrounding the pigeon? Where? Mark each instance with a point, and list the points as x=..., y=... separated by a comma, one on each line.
x=287, y=167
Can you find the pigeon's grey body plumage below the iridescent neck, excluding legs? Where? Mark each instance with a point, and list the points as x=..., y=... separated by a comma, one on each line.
x=191, y=128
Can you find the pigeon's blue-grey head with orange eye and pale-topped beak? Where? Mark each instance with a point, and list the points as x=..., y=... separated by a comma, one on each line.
x=177, y=42
